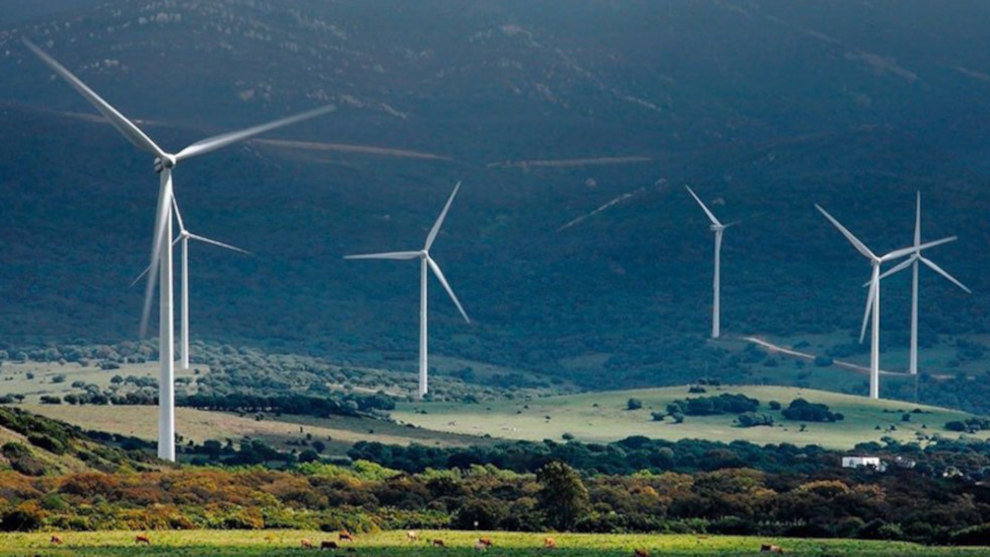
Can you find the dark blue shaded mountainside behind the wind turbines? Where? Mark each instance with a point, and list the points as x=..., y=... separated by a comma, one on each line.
x=573, y=126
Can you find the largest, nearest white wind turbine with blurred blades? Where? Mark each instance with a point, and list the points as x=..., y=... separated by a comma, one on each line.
x=161, y=247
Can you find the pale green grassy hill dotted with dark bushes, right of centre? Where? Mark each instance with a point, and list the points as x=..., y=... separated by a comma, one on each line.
x=602, y=417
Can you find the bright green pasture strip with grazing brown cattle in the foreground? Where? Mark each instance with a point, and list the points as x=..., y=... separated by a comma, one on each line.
x=288, y=542
